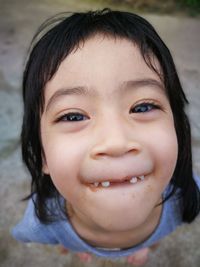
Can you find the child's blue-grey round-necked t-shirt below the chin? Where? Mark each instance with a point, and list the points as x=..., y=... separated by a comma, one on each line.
x=30, y=229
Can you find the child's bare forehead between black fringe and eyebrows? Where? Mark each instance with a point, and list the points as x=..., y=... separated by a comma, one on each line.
x=101, y=63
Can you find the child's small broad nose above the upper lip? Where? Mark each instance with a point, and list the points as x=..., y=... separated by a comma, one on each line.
x=114, y=139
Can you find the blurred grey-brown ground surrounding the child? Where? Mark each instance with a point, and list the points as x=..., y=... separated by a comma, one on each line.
x=178, y=23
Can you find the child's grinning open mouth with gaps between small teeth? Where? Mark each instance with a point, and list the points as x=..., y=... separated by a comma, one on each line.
x=107, y=183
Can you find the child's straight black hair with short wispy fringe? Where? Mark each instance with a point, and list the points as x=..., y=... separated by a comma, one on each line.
x=54, y=41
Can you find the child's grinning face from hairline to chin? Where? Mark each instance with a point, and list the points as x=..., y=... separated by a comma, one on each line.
x=107, y=119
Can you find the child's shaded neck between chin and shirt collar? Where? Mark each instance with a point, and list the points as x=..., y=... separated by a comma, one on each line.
x=99, y=237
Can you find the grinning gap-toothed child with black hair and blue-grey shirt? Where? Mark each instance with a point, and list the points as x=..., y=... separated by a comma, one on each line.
x=105, y=138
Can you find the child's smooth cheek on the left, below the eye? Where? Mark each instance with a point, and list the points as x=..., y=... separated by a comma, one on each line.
x=64, y=157
